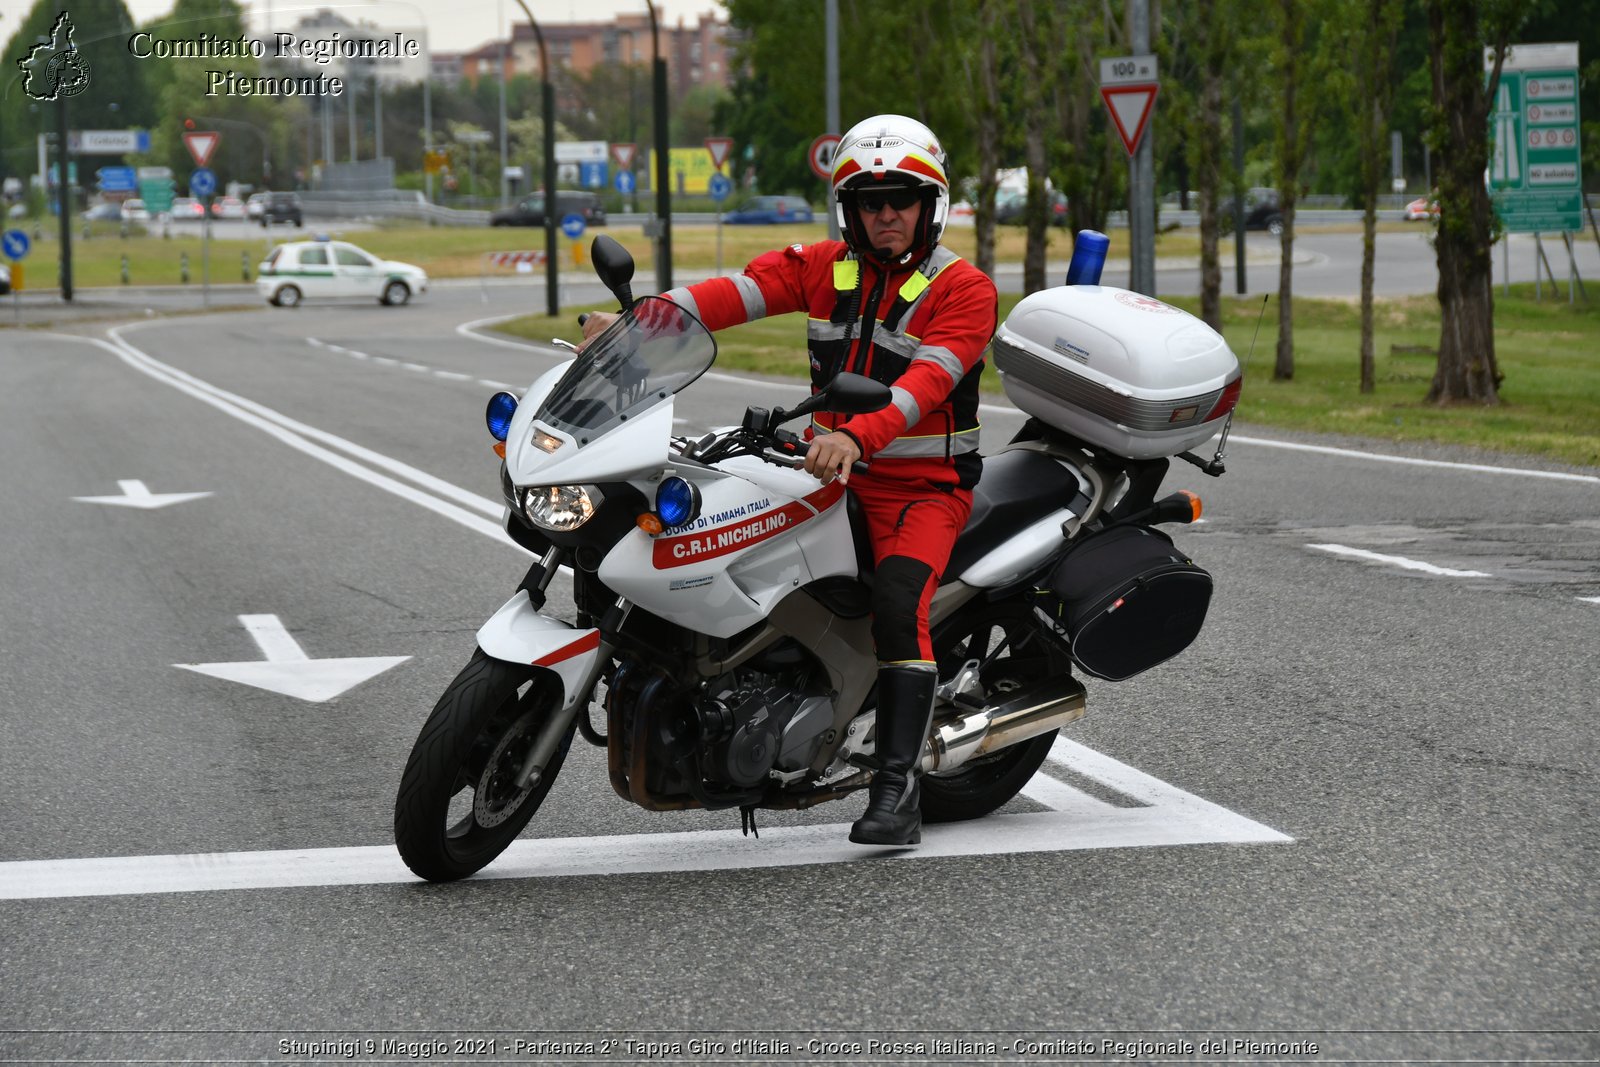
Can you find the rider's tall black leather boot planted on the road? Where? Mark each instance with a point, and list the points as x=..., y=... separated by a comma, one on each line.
x=895, y=797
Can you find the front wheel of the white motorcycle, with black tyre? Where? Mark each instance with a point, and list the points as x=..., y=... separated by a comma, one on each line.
x=458, y=805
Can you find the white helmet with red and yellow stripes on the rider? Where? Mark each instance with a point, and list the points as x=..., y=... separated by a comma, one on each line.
x=884, y=153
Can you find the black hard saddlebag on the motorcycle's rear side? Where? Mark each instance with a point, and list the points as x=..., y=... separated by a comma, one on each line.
x=1127, y=599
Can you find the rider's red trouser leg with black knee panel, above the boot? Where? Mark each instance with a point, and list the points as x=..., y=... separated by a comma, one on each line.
x=913, y=527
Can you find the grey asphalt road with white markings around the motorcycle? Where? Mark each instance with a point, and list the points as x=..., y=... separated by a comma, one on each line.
x=1354, y=817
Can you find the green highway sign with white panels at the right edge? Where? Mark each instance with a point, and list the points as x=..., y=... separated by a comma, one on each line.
x=1537, y=148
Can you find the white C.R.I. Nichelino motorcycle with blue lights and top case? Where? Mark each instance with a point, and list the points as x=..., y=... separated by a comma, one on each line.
x=722, y=594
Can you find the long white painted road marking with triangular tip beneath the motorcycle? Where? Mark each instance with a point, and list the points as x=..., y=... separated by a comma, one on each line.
x=1078, y=821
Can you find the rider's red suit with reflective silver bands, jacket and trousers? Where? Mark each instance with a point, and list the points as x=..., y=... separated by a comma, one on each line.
x=922, y=330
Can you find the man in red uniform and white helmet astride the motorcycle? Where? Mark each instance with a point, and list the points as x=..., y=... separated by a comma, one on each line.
x=894, y=305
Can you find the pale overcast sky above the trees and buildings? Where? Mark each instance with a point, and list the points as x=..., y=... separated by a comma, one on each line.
x=452, y=25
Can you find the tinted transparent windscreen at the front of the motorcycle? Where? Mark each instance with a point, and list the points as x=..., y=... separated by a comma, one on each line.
x=650, y=353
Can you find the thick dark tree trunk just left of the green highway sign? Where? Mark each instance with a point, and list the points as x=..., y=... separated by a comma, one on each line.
x=1458, y=34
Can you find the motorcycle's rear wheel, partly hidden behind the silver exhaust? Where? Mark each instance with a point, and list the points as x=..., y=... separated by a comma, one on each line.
x=1015, y=655
